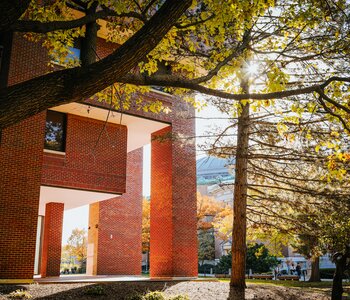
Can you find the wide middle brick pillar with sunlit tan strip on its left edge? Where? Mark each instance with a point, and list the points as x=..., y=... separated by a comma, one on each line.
x=115, y=227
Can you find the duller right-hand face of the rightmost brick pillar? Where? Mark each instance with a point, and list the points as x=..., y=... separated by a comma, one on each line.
x=185, y=251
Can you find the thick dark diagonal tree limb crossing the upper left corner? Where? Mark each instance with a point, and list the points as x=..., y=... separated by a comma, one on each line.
x=28, y=98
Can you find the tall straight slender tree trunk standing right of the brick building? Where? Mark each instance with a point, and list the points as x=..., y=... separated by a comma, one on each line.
x=237, y=284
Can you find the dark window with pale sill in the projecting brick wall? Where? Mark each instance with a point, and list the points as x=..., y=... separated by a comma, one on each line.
x=55, y=131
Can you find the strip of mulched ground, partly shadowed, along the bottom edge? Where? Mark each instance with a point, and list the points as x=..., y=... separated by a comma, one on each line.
x=196, y=290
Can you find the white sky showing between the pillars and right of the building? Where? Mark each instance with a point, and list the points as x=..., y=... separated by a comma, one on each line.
x=78, y=217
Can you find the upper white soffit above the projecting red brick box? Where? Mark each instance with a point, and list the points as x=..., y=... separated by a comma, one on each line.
x=139, y=129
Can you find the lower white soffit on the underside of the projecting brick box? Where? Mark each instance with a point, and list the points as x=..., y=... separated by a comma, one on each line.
x=70, y=197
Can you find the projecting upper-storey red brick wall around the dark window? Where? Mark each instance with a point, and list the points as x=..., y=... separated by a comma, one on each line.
x=85, y=165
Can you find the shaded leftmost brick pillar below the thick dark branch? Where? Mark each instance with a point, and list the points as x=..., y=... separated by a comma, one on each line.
x=21, y=151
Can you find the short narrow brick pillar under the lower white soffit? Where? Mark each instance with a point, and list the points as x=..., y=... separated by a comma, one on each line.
x=51, y=251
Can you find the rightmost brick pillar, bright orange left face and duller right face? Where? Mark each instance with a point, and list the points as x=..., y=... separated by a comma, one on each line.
x=173, y=203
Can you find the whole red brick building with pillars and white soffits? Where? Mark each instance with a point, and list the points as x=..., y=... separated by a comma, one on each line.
x=74, y=155
